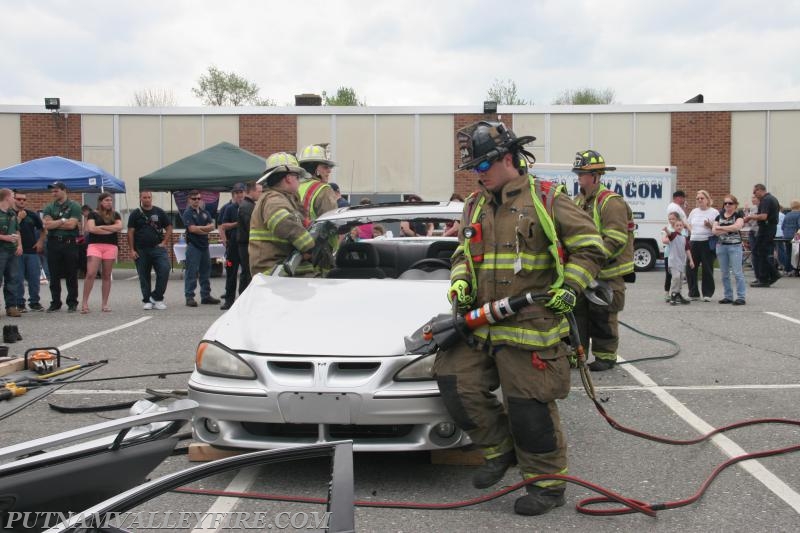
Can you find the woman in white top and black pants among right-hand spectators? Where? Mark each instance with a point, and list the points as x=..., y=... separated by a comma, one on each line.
x=700, y=221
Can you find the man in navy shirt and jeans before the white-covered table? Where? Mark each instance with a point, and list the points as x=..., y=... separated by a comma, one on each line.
x=199, y=224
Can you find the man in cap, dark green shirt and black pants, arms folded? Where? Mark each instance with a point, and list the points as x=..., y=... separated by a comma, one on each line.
x=61, y=219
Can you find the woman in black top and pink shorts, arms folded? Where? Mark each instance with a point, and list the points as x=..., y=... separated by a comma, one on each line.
x=103, y=225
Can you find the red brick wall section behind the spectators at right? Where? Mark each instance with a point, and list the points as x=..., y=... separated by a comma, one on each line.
x=701, y=148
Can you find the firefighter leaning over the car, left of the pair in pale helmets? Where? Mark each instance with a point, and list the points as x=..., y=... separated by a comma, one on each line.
x=276, y=225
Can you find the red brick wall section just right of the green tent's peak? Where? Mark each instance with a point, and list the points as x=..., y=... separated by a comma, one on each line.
x=266, y=134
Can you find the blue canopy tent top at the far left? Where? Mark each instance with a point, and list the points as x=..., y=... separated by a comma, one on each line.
x=78, y=176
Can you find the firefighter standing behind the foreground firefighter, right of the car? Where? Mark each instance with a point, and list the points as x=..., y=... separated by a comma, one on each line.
x=614, y=220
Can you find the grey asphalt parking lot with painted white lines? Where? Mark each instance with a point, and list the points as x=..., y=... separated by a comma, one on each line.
x=735, y=363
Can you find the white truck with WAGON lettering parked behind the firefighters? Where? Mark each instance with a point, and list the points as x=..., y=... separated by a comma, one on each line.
x=648, y=190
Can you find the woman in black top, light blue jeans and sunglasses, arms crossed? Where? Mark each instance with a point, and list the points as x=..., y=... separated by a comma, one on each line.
x=727, y=228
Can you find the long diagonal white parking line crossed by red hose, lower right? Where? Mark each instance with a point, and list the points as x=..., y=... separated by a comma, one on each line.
x=730, y=448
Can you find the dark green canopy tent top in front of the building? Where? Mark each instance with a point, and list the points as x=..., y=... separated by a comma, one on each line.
x=217, y=168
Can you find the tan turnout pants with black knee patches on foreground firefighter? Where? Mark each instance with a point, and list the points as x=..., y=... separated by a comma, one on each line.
x=529, y=423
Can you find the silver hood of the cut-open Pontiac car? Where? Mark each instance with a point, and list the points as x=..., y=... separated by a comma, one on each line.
x=335, y=317
